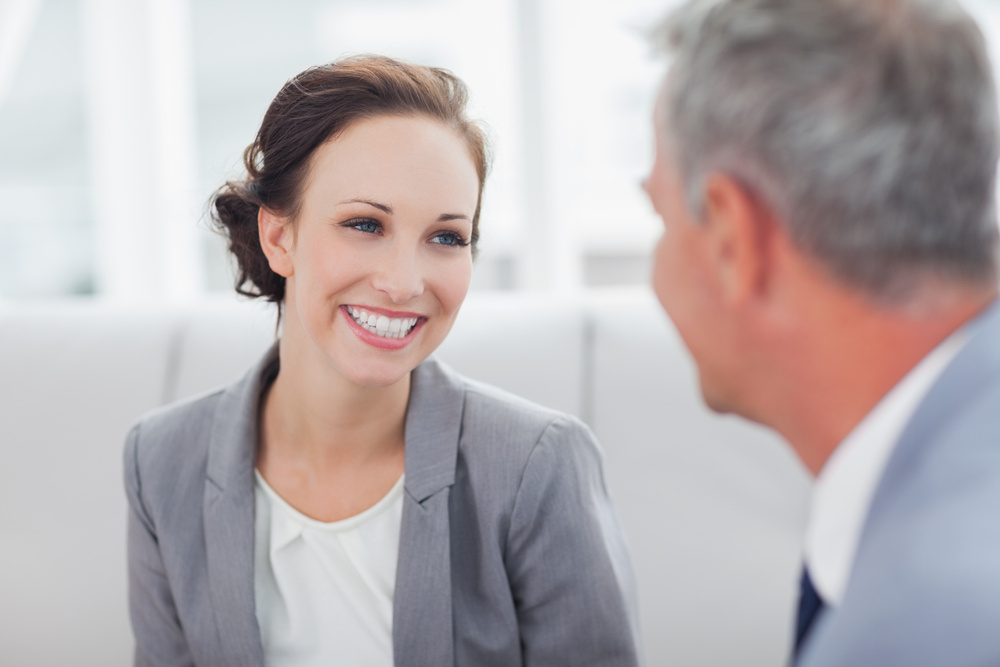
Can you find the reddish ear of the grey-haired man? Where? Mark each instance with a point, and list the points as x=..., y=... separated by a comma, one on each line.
x=739, y=227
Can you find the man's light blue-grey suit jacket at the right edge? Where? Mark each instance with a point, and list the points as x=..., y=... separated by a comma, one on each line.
x=925, y=587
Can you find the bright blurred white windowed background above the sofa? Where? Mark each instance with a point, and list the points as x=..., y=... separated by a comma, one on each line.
x=118, y=118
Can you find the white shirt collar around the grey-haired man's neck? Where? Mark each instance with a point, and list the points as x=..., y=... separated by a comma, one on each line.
x=845, y=486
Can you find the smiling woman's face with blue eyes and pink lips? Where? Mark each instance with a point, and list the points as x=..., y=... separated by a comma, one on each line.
x=378, y=259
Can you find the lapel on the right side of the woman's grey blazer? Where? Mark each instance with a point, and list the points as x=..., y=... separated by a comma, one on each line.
x=423, y=634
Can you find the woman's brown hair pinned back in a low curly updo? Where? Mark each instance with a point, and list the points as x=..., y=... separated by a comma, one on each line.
x=311, y=108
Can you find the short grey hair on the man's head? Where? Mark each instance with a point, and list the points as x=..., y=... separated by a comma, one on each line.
x=868, y=126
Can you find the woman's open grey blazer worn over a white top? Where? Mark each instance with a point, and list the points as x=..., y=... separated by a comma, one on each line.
x=510, y=552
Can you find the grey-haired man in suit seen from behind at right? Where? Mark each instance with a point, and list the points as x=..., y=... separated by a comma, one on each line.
x=825, y=173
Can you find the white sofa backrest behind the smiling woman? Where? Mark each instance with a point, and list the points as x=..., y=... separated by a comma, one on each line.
x=713, y=506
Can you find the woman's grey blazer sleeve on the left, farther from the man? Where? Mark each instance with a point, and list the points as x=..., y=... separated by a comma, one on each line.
x=159, y=638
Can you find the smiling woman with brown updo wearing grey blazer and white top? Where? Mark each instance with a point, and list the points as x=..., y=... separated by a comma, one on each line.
x=351, y=500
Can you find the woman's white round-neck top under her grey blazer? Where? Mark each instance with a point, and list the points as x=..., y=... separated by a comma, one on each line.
x=324, y=591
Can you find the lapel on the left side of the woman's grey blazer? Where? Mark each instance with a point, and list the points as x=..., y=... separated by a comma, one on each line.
x=229, y=517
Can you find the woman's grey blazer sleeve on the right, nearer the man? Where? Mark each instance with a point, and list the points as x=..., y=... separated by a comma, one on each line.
x=568, y=565
